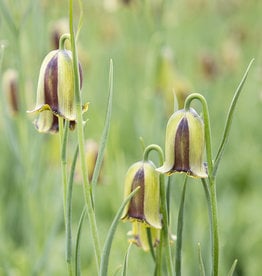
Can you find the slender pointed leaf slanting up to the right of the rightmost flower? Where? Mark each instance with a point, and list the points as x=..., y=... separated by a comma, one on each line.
x=229, y=119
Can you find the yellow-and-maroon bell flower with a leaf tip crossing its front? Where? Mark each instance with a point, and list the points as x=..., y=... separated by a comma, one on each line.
x=145, y=204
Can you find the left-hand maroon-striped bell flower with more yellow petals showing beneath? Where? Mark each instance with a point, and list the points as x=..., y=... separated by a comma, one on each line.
x=55, y=91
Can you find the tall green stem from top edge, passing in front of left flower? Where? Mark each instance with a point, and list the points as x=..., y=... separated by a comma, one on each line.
x=80, y=133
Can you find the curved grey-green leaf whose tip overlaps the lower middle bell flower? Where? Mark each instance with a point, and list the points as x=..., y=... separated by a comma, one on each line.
x=110, y=235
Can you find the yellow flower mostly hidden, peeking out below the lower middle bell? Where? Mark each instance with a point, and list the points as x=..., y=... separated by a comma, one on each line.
x=139, y=235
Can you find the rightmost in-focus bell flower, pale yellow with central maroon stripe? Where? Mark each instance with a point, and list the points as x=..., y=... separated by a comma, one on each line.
x=185, y=143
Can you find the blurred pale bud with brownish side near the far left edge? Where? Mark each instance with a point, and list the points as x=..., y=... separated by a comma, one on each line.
x=10, y=88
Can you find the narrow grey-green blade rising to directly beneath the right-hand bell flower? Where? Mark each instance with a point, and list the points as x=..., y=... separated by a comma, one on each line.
x=180, y=223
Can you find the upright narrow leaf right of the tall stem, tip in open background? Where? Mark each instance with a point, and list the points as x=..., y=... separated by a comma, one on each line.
x=105, y=133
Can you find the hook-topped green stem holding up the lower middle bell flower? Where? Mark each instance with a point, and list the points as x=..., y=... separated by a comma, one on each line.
x=164, y=233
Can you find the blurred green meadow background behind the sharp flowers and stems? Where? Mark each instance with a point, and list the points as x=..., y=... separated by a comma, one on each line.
x=157, y=47
